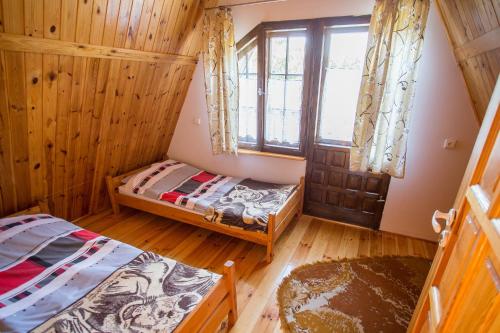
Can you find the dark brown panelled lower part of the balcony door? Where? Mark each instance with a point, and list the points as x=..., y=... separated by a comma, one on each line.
x=333, y=192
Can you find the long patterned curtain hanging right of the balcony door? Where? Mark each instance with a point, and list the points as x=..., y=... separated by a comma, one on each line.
x=387, y=88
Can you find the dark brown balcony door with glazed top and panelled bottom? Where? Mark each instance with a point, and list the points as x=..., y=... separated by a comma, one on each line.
x=332, y=191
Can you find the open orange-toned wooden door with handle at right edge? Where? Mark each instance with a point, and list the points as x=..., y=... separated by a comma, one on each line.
x=462, y=291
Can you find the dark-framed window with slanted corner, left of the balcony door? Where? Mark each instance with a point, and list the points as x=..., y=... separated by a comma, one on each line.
x=272, y=71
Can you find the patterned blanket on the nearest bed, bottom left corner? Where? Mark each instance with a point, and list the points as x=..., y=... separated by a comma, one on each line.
x=57, y=277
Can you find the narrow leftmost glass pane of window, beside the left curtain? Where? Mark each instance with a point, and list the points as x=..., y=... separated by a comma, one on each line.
x=247, y=67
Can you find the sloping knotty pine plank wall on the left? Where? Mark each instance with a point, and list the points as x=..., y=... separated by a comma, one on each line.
x=66, y=121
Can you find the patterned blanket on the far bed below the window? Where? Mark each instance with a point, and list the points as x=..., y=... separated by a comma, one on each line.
x=236, y=202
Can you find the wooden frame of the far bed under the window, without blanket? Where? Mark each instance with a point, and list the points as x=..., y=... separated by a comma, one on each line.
x=278, y=221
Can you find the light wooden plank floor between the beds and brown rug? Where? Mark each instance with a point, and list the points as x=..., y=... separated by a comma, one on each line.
x=306, y=240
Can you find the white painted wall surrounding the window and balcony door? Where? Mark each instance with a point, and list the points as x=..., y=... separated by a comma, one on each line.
x=442, y=109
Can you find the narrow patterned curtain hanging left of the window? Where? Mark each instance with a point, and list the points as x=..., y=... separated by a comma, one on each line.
x=221, y=80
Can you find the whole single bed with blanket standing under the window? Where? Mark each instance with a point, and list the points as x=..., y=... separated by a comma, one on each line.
x=244, y=208
